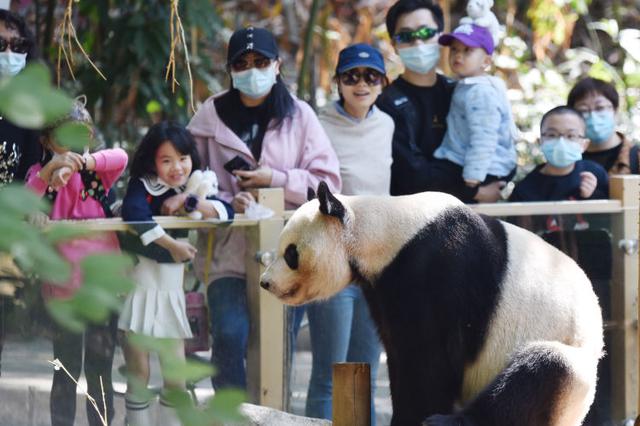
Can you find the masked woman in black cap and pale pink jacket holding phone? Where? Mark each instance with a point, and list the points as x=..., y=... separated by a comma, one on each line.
x=254, y=135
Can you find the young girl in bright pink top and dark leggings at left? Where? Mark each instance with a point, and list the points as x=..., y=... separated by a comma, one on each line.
x=77, y=185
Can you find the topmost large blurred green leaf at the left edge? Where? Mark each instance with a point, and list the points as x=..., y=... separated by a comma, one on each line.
x=29, y=101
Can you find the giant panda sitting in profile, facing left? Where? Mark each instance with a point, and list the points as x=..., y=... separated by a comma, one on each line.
x=483, y=323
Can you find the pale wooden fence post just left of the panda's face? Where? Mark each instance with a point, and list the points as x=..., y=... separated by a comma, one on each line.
x=266, y=369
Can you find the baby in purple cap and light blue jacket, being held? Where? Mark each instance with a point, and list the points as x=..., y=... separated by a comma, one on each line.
x=480, y=128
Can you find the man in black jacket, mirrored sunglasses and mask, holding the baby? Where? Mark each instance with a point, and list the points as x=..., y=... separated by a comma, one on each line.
x=418, y=101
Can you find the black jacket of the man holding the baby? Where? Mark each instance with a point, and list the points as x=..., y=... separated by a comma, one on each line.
x=419, y=114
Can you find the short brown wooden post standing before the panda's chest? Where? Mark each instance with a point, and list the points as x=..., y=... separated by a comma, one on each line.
x=351, y=394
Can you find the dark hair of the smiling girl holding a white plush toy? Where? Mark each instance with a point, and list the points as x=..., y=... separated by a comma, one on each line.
x=144, y=159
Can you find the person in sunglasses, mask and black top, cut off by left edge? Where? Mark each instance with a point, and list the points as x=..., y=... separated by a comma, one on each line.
x=19, y=147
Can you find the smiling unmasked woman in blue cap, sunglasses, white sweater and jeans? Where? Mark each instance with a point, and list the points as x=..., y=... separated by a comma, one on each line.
x=341, y=328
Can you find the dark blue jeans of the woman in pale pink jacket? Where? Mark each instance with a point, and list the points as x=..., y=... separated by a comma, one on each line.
x=229, y=314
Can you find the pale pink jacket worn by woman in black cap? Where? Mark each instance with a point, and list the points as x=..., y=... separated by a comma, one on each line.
x=299, y=153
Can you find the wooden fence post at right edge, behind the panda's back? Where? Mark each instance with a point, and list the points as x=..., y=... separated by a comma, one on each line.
x=624, y=299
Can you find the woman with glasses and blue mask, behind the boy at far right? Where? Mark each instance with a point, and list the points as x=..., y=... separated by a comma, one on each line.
x=598, y=103
